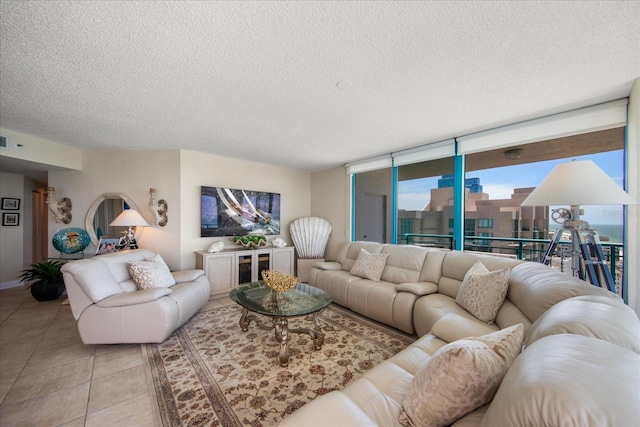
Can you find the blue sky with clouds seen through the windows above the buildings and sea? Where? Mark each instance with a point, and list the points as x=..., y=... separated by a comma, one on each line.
x=499, y=183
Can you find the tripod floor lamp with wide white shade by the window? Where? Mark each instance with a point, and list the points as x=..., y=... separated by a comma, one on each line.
x=579, y=183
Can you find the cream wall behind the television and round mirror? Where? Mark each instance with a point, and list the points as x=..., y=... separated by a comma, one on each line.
x=177, y=175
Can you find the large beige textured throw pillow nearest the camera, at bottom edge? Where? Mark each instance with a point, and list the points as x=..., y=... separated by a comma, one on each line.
x=460, y=377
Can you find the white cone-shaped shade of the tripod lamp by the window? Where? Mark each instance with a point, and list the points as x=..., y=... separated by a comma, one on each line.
x=580, y=182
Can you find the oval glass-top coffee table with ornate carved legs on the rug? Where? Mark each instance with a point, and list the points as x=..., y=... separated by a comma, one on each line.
x=302, y=300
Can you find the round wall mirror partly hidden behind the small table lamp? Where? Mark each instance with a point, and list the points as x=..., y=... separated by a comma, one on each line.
x=104, y=210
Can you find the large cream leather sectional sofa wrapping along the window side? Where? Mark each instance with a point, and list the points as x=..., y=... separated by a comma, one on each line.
x=580, y=363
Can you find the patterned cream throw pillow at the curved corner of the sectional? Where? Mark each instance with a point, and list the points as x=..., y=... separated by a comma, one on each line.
x=482, y=292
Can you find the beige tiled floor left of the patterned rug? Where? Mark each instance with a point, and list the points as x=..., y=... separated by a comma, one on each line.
x=48, y=377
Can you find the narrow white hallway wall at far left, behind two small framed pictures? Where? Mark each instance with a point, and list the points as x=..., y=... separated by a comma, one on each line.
x=12, y=237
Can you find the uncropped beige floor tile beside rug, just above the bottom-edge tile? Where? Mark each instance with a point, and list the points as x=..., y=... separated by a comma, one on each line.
x=118, y=387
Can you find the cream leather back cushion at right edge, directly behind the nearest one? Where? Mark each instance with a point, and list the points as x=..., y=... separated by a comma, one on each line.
x=595, y=316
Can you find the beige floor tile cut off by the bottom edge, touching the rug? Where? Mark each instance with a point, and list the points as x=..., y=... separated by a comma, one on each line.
x=136, y=411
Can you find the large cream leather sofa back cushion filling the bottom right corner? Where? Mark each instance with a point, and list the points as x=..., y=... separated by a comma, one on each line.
x=568, y=380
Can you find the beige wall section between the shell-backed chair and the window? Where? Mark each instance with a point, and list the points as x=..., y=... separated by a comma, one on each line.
x=330, y=199
